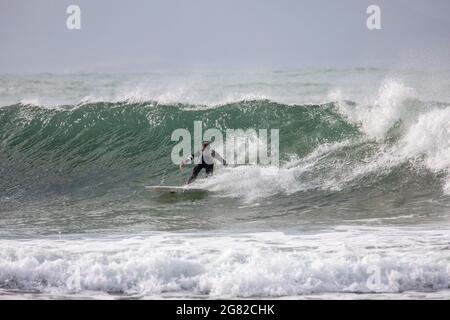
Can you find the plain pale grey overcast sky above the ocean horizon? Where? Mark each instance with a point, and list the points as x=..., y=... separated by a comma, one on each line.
x=158, y=35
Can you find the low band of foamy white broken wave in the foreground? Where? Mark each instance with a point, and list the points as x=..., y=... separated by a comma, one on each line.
x=251, y=265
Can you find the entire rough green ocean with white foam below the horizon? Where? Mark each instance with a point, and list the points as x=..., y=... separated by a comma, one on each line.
x=359, y=207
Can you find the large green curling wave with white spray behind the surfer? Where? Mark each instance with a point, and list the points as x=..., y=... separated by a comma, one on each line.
x=331, y=146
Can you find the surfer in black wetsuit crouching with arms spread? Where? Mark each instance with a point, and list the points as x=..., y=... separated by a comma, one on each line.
x=207, y=161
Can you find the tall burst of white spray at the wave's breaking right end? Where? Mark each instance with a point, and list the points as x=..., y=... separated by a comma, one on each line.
x=425, y=127
